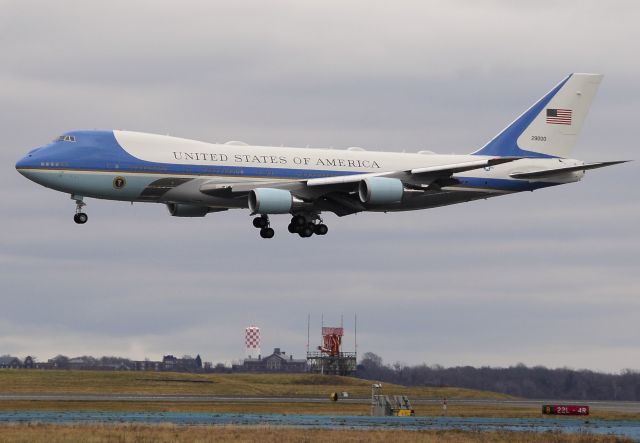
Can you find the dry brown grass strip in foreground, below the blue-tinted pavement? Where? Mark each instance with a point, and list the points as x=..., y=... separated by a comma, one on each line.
x=40, y=433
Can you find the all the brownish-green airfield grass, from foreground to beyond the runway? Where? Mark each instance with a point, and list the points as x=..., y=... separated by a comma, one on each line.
x=246, y=385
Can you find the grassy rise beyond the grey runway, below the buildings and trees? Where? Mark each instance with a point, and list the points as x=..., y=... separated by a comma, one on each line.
x=14, y=381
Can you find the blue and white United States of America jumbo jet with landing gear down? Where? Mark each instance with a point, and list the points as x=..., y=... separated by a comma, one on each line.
x=194, y=178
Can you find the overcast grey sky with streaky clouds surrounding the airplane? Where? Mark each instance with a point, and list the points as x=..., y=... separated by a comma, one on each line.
x=550, y=278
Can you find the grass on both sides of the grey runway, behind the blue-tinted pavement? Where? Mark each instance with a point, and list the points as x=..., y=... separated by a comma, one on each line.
x=259, y=385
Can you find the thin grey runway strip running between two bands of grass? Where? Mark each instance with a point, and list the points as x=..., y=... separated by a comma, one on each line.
x=614, y=406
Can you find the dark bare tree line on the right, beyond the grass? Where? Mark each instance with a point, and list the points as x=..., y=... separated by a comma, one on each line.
x=536, y=382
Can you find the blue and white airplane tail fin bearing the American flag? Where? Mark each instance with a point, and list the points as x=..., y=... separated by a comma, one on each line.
x=551, y=126
